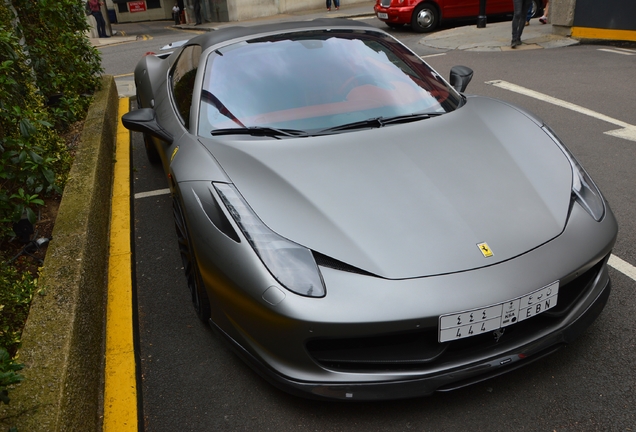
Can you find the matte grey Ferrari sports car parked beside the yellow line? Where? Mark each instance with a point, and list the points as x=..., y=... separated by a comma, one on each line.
x=356, y=226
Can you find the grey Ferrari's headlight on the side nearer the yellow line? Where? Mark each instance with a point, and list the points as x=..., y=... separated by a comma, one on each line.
x=291, y=264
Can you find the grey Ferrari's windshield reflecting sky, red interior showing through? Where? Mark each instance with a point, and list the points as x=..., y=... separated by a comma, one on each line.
x=319, y=80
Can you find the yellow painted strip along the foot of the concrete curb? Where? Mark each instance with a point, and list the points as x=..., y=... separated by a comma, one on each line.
x=120, y=379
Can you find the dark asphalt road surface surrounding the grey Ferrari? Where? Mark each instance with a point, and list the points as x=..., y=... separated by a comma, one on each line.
x=191, y=381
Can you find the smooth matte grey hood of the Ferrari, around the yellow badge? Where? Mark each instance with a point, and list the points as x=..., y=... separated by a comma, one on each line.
x=414, y=199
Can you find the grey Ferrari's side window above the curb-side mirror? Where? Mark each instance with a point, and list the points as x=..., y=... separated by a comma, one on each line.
x=182, y=80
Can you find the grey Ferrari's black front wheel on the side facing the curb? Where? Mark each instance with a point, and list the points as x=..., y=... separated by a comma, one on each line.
x=200, y=299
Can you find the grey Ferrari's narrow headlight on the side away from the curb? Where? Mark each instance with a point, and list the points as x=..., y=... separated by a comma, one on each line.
x=585, y=191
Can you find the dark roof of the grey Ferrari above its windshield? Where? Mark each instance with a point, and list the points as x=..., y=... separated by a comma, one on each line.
x=237, y=32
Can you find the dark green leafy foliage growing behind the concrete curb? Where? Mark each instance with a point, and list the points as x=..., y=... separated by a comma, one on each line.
x=48, y=73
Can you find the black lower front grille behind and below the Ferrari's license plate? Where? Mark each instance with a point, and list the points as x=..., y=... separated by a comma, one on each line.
x=416, y=350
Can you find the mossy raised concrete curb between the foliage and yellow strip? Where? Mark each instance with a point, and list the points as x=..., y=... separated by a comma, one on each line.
x=63, y=340
